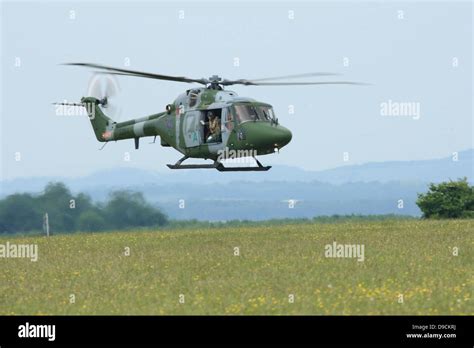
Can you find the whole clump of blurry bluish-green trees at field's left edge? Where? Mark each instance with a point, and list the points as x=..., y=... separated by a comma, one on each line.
x=24, y=212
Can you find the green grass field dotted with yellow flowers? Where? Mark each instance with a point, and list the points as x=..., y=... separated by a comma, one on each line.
x=410, y=258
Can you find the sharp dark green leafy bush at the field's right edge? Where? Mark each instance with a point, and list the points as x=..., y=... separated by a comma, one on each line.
x=453, y=199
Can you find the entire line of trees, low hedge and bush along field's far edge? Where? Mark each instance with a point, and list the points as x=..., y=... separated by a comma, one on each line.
x=24, y=212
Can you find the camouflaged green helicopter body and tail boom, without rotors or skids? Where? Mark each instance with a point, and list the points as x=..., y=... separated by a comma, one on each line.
x=209, y=124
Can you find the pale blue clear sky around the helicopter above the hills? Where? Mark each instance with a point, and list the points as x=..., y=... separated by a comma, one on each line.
x=412, y=53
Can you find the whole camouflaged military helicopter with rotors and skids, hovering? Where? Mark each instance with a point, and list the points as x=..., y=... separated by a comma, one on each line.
x=206, y=122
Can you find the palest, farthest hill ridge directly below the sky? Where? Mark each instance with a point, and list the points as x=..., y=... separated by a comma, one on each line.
x=434, y=170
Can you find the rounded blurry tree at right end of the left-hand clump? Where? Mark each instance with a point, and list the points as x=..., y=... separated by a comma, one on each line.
x=129, y=209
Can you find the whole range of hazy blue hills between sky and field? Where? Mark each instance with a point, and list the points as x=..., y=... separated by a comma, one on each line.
x=371, y=188
